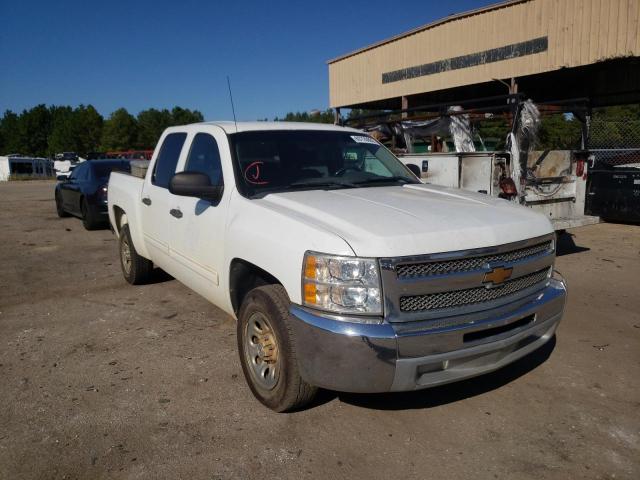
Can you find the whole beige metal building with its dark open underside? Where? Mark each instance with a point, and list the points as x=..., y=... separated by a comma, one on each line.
x=552, y=49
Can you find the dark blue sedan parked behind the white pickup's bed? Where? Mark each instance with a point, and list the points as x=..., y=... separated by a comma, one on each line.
x=84, y=192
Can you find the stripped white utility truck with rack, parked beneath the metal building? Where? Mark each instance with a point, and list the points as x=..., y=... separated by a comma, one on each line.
x=444, y=148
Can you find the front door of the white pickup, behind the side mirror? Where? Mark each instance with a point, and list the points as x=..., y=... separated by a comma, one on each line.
x=197, y=233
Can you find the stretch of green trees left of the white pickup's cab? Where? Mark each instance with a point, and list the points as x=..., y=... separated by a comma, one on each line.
x=44, y=130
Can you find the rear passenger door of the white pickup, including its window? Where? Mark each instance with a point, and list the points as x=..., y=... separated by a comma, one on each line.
x=155, y=199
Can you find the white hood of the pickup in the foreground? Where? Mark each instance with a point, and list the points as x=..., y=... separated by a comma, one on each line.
x=411, y=219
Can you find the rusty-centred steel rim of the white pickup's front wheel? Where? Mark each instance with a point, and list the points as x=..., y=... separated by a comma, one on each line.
x=261, y=351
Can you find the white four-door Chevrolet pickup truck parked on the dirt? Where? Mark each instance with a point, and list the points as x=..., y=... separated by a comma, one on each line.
x=342, y=269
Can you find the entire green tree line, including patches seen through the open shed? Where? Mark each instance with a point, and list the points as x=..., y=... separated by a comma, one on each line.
x=45, y=131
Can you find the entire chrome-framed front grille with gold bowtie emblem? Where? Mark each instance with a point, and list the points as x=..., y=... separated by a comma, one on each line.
x=454, y=285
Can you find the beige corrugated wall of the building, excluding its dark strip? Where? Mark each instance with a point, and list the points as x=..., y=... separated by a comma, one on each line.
x=579, y=32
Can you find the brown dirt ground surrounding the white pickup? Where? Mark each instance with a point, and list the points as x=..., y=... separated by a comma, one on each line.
x=99, y=379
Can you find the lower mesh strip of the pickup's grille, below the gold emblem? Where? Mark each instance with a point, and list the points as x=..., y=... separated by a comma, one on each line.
x=470, y=296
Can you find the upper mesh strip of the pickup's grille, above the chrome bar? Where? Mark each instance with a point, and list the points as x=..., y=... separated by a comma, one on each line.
x=443, y=267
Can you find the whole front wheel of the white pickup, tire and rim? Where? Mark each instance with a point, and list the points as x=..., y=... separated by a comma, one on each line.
x=267, y=350
